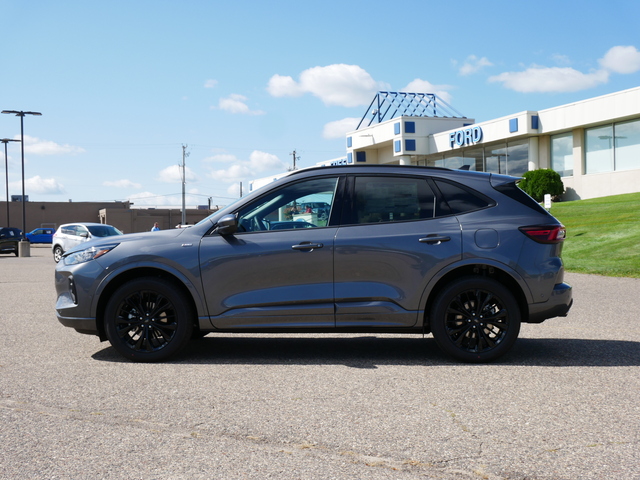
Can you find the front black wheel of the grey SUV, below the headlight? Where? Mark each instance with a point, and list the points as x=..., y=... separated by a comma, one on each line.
x=148, y=320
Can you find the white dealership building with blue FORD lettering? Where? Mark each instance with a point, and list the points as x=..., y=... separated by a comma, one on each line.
x=593, y=144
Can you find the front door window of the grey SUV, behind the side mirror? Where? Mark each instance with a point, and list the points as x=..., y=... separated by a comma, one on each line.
x=306, y=204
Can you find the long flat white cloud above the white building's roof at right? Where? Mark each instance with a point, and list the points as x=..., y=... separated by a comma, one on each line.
x=550, y=79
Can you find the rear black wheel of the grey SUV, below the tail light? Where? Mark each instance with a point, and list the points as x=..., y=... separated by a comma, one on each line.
x=475, y=319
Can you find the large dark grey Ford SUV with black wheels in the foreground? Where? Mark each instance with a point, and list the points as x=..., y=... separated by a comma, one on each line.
x=467, y=256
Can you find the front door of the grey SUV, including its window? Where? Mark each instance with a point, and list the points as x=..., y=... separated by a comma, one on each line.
x=277, y=270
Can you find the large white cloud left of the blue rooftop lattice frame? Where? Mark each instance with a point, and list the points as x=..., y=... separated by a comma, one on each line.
x=338, y=84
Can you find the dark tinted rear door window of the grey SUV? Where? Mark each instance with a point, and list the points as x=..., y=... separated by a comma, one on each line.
x=392, y=199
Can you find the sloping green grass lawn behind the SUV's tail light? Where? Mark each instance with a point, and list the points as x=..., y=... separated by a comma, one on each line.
x=603, y=235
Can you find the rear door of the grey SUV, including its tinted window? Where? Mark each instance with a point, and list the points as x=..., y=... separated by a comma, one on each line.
x=395, y=238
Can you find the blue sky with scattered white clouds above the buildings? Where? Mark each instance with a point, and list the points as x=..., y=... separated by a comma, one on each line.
x=123, y=85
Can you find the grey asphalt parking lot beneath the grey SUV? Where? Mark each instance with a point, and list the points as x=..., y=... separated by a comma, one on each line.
x=563, y=404
